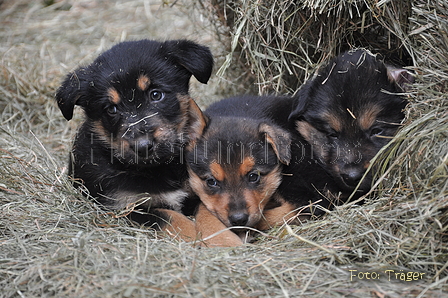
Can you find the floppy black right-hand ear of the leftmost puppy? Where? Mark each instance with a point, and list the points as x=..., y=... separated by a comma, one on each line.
x=197, y=59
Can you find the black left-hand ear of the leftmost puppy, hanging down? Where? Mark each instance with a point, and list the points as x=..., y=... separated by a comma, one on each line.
x=69, y=93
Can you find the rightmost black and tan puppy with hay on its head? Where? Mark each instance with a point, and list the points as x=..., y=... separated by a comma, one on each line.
x=339, y=120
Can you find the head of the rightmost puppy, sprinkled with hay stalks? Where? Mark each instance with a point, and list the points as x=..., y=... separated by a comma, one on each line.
x=348, y=112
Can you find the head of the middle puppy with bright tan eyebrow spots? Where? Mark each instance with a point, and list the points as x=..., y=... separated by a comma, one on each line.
x=235, y=168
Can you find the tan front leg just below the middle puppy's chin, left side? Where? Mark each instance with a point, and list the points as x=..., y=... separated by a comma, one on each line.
x=207, y=224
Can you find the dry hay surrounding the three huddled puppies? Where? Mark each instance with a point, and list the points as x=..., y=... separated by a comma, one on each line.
x=55, y=243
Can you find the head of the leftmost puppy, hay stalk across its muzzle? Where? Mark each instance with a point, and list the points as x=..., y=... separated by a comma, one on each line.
x=135, y=97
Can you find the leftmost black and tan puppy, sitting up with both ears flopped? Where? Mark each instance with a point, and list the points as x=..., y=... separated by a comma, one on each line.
x=139, y=117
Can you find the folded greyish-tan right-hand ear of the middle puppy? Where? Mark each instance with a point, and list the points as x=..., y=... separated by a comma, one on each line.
x=279, y=139
